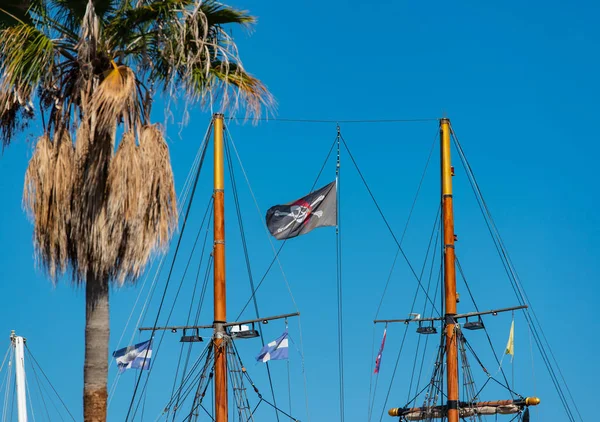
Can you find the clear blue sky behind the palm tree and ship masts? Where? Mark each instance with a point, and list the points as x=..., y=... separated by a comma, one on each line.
x=519, y=82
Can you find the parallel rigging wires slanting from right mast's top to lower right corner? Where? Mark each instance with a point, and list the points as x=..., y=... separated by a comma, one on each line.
x=519, y=289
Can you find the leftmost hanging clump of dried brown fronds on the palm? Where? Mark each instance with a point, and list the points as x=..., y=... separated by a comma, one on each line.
x=47, y=198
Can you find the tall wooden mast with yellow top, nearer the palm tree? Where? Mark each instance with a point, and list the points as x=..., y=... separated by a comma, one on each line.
x=219, y=341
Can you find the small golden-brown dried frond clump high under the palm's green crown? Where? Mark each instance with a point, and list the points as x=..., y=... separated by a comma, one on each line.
x=115, y=98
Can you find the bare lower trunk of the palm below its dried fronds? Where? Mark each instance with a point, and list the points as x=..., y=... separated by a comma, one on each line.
x=95, y=368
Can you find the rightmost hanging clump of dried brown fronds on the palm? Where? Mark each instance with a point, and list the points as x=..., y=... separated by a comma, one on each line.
x=160, y=214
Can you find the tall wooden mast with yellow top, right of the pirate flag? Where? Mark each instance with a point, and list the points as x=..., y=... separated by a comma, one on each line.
x=449, y=274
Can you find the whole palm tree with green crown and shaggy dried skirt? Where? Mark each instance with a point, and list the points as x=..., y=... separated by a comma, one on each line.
x=102, y=206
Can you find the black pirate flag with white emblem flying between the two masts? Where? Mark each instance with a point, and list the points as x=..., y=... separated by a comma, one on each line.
x=317, y=209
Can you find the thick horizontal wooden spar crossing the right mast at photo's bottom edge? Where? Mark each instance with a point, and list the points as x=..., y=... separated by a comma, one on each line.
x=466, y=409
